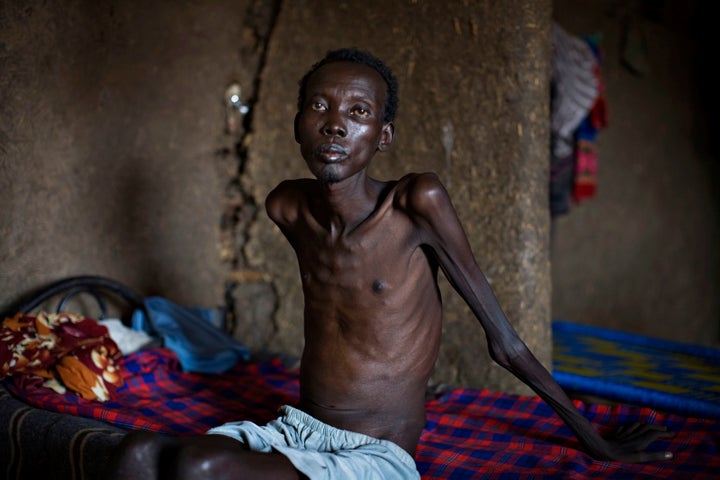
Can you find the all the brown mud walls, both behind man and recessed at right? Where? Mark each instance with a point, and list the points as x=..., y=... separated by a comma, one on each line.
x=115, y=158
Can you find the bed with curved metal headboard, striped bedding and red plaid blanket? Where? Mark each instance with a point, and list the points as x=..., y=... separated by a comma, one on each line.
x=470, y=433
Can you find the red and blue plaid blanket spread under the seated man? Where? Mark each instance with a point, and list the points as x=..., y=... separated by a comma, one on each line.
x=470, y=433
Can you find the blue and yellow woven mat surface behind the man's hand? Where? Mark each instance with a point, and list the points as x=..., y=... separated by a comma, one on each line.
x=623, y=367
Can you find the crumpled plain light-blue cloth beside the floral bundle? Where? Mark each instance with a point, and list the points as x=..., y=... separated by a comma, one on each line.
x=191, y=332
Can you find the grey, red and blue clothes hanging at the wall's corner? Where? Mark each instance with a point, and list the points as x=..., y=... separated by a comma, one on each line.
x=579, y=111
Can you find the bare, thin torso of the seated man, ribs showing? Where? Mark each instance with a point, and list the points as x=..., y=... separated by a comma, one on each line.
x=372, y=321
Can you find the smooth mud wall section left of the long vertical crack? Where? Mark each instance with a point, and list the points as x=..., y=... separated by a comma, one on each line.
x=115, y=159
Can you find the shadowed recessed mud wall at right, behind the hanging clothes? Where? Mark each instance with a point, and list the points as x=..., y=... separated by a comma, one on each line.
x=642, y=255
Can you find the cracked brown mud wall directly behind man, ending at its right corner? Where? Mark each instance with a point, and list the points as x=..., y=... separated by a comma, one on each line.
x=115, y=159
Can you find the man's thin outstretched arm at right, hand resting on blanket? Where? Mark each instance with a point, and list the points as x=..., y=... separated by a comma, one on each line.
x=431, y=207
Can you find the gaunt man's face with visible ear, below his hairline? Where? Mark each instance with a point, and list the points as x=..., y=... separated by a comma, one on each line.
x=340, y=126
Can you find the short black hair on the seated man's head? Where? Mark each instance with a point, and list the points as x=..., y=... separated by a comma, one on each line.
x=364, y=58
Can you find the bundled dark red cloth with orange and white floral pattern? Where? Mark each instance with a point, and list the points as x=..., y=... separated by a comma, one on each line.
x=67, y=350
